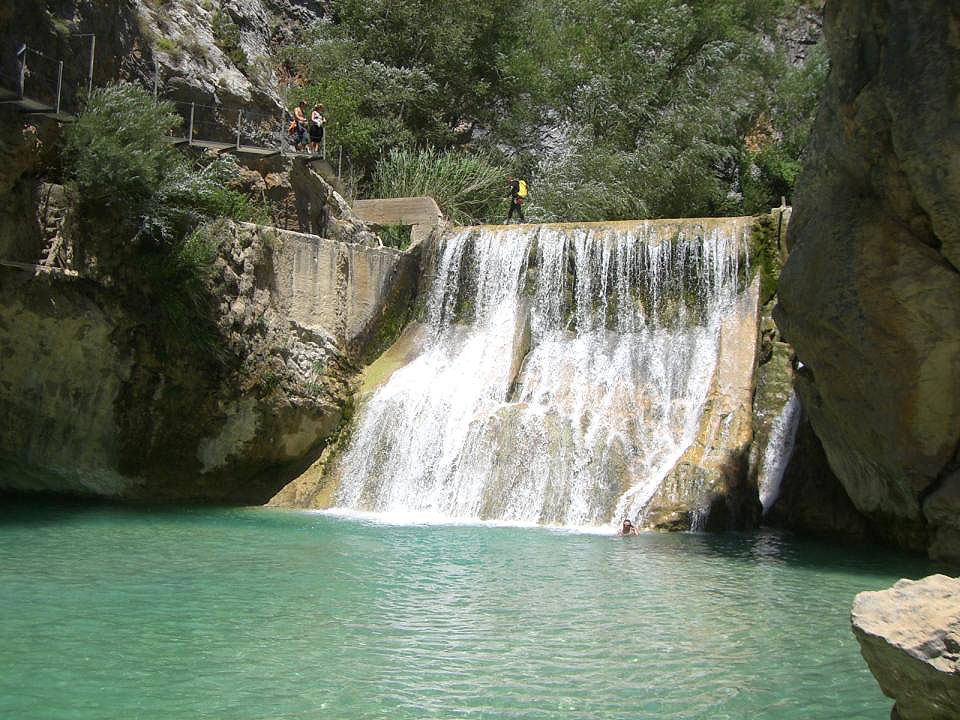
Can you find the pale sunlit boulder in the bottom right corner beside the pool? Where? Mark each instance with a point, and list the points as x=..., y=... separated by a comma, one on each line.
x=910, y=637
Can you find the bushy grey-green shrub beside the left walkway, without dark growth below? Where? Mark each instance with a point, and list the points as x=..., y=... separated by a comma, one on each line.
x=133, y=191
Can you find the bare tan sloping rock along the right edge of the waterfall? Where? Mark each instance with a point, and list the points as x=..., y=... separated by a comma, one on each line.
x=711, y=478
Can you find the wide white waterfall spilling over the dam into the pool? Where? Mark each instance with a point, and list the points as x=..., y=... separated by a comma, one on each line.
x=560, y=372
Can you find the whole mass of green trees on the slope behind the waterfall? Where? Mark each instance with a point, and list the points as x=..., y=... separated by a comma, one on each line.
x=642, y=108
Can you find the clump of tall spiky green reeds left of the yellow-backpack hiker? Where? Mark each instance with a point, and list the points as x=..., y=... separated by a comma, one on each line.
x=467, y=187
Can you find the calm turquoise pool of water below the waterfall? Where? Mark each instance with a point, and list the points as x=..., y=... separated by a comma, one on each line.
x=271, y=614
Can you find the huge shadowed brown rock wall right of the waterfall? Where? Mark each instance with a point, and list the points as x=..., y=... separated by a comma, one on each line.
x=870, y=295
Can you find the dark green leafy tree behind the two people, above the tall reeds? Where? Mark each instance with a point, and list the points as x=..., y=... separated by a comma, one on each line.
x=408, y=73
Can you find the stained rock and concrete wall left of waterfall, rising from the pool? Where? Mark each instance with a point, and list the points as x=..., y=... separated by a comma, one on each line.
x=93, y=400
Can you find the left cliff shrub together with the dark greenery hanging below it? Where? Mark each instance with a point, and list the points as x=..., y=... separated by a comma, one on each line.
x=139, y=206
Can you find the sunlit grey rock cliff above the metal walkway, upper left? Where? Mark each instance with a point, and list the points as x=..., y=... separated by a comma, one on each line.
x=214, y=52
